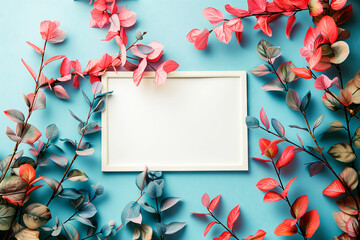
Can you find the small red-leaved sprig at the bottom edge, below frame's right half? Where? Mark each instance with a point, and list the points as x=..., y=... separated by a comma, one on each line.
x=231, y=220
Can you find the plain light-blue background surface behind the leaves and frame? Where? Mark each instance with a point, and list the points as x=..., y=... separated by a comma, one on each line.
x=168, y=22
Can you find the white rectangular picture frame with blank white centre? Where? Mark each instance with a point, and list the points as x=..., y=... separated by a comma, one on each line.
x=149, y=125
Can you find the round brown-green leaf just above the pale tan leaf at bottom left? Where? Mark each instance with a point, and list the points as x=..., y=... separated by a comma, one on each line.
x=36, y=215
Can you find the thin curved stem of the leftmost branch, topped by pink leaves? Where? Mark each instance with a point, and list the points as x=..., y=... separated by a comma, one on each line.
x=23, y=127
